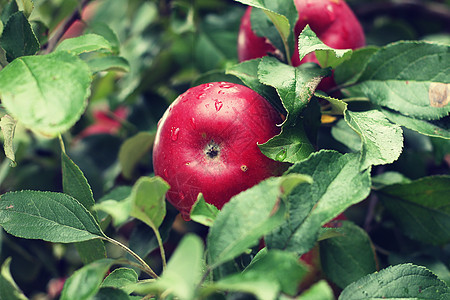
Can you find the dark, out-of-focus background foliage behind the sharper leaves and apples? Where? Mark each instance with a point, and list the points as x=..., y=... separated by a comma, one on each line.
x=170, y=45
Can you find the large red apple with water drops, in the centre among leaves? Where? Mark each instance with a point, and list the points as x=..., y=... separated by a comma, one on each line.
x=207, y=141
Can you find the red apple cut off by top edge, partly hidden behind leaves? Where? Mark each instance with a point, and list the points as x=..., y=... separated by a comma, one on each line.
x=332, y=20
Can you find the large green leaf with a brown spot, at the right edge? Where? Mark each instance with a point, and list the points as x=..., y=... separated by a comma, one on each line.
x=411, y=78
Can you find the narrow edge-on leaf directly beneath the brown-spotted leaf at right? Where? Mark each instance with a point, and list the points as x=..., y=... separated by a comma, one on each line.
x=437, y=128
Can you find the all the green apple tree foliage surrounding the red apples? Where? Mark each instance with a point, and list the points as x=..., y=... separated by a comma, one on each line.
x=87, y=211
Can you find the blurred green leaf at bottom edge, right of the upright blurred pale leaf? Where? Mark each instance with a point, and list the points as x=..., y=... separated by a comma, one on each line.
x=274, y=272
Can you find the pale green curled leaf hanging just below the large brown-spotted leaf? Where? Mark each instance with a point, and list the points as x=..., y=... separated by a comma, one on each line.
x=381, y=141
